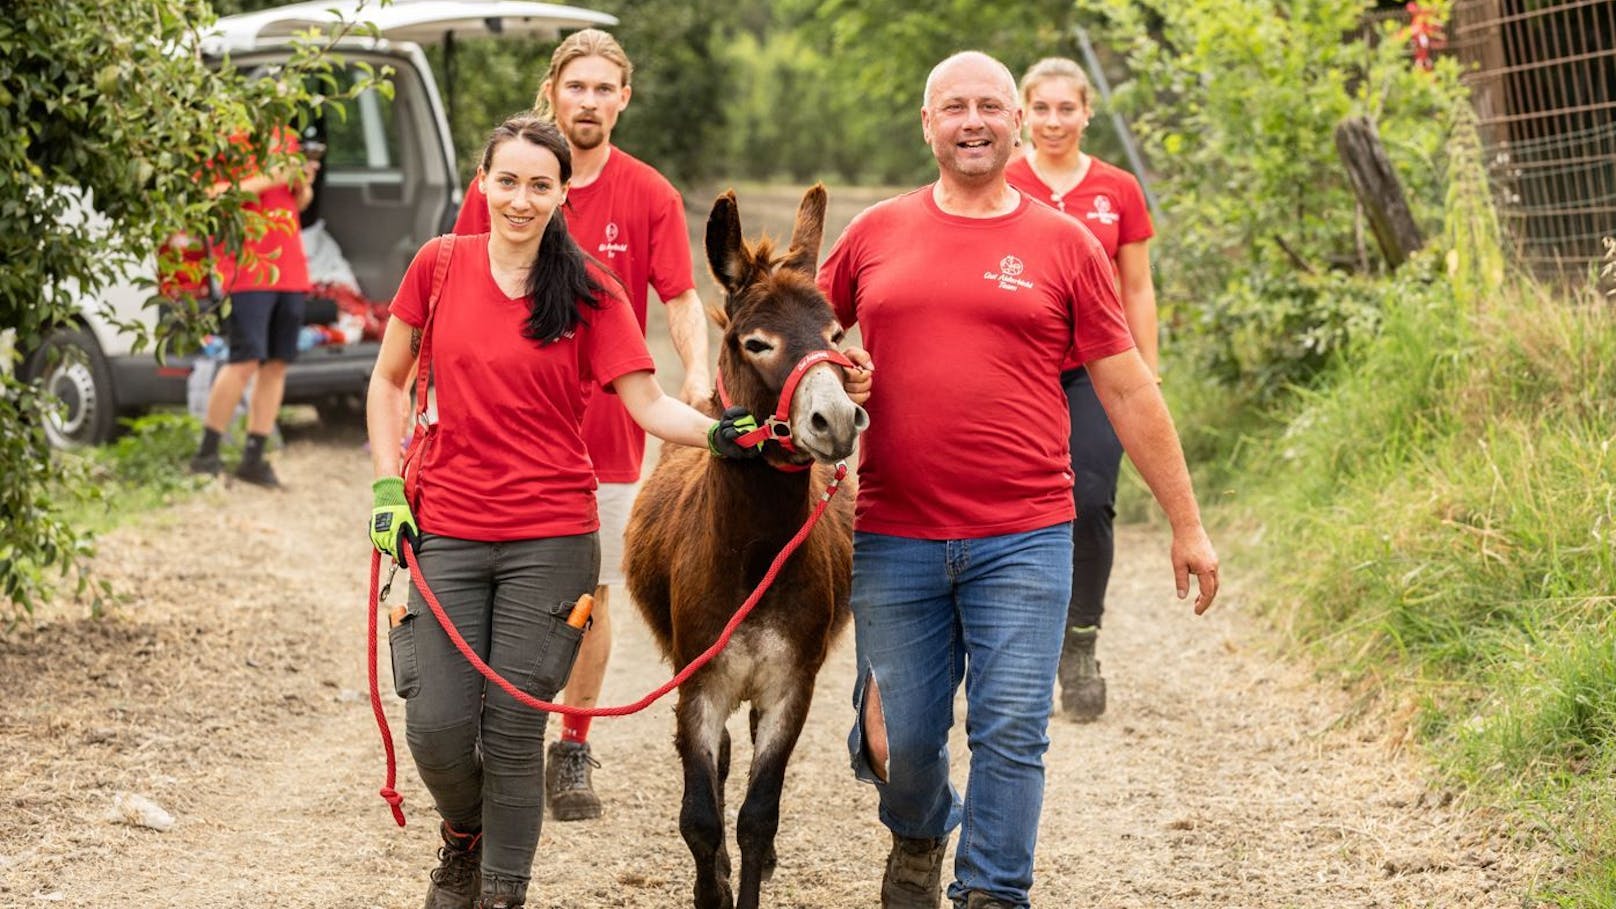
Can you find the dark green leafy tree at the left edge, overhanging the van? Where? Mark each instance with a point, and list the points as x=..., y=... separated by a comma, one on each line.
x=111, y=117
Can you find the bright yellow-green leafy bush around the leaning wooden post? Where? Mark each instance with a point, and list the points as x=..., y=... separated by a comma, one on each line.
x=1263, y=248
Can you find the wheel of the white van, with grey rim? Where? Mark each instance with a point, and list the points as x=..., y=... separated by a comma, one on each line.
x=70, y=368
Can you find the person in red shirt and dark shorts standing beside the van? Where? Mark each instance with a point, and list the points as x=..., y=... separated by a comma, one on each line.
x=266, y=289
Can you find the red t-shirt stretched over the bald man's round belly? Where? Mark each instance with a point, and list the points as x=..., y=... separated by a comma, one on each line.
x=969, y=323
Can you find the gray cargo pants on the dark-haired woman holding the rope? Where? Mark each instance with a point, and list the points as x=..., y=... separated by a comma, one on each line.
x=479, y=751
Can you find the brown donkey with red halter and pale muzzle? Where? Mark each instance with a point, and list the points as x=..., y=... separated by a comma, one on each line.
x=704, y=533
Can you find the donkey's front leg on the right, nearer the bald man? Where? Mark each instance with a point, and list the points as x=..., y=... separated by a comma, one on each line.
x=775, y=738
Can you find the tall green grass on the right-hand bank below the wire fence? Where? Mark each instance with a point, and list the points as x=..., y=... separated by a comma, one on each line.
x=1439, y=523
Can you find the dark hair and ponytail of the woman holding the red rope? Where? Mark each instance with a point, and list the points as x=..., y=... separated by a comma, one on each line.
x=560, y=284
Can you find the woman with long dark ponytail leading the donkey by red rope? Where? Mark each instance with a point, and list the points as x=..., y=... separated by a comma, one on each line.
x=502, y=510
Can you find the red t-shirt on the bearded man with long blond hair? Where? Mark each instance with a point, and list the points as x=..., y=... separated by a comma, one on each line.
x=633, y=221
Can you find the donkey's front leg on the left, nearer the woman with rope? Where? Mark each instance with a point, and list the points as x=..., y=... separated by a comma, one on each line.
x=701, y=742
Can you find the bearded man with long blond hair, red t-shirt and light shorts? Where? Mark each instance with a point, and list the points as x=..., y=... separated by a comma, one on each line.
x=631, y=219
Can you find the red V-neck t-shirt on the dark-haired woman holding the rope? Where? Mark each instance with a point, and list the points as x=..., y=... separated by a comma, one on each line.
x=508, y=462
